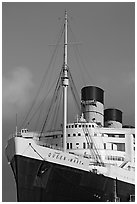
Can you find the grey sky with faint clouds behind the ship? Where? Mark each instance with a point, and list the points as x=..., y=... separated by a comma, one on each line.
x=106, y=33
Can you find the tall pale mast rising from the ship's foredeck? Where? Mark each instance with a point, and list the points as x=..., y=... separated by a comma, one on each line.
x=65, y=80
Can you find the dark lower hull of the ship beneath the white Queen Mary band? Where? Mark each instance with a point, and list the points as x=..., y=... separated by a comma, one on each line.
x=43, y=181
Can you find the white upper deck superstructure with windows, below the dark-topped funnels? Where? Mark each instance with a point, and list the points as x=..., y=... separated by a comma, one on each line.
x=113, y=145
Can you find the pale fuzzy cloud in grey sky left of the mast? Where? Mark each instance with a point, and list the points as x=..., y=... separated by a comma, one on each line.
x=17, y=89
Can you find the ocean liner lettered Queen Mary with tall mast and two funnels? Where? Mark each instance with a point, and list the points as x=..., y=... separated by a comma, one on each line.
x=90, y=159
